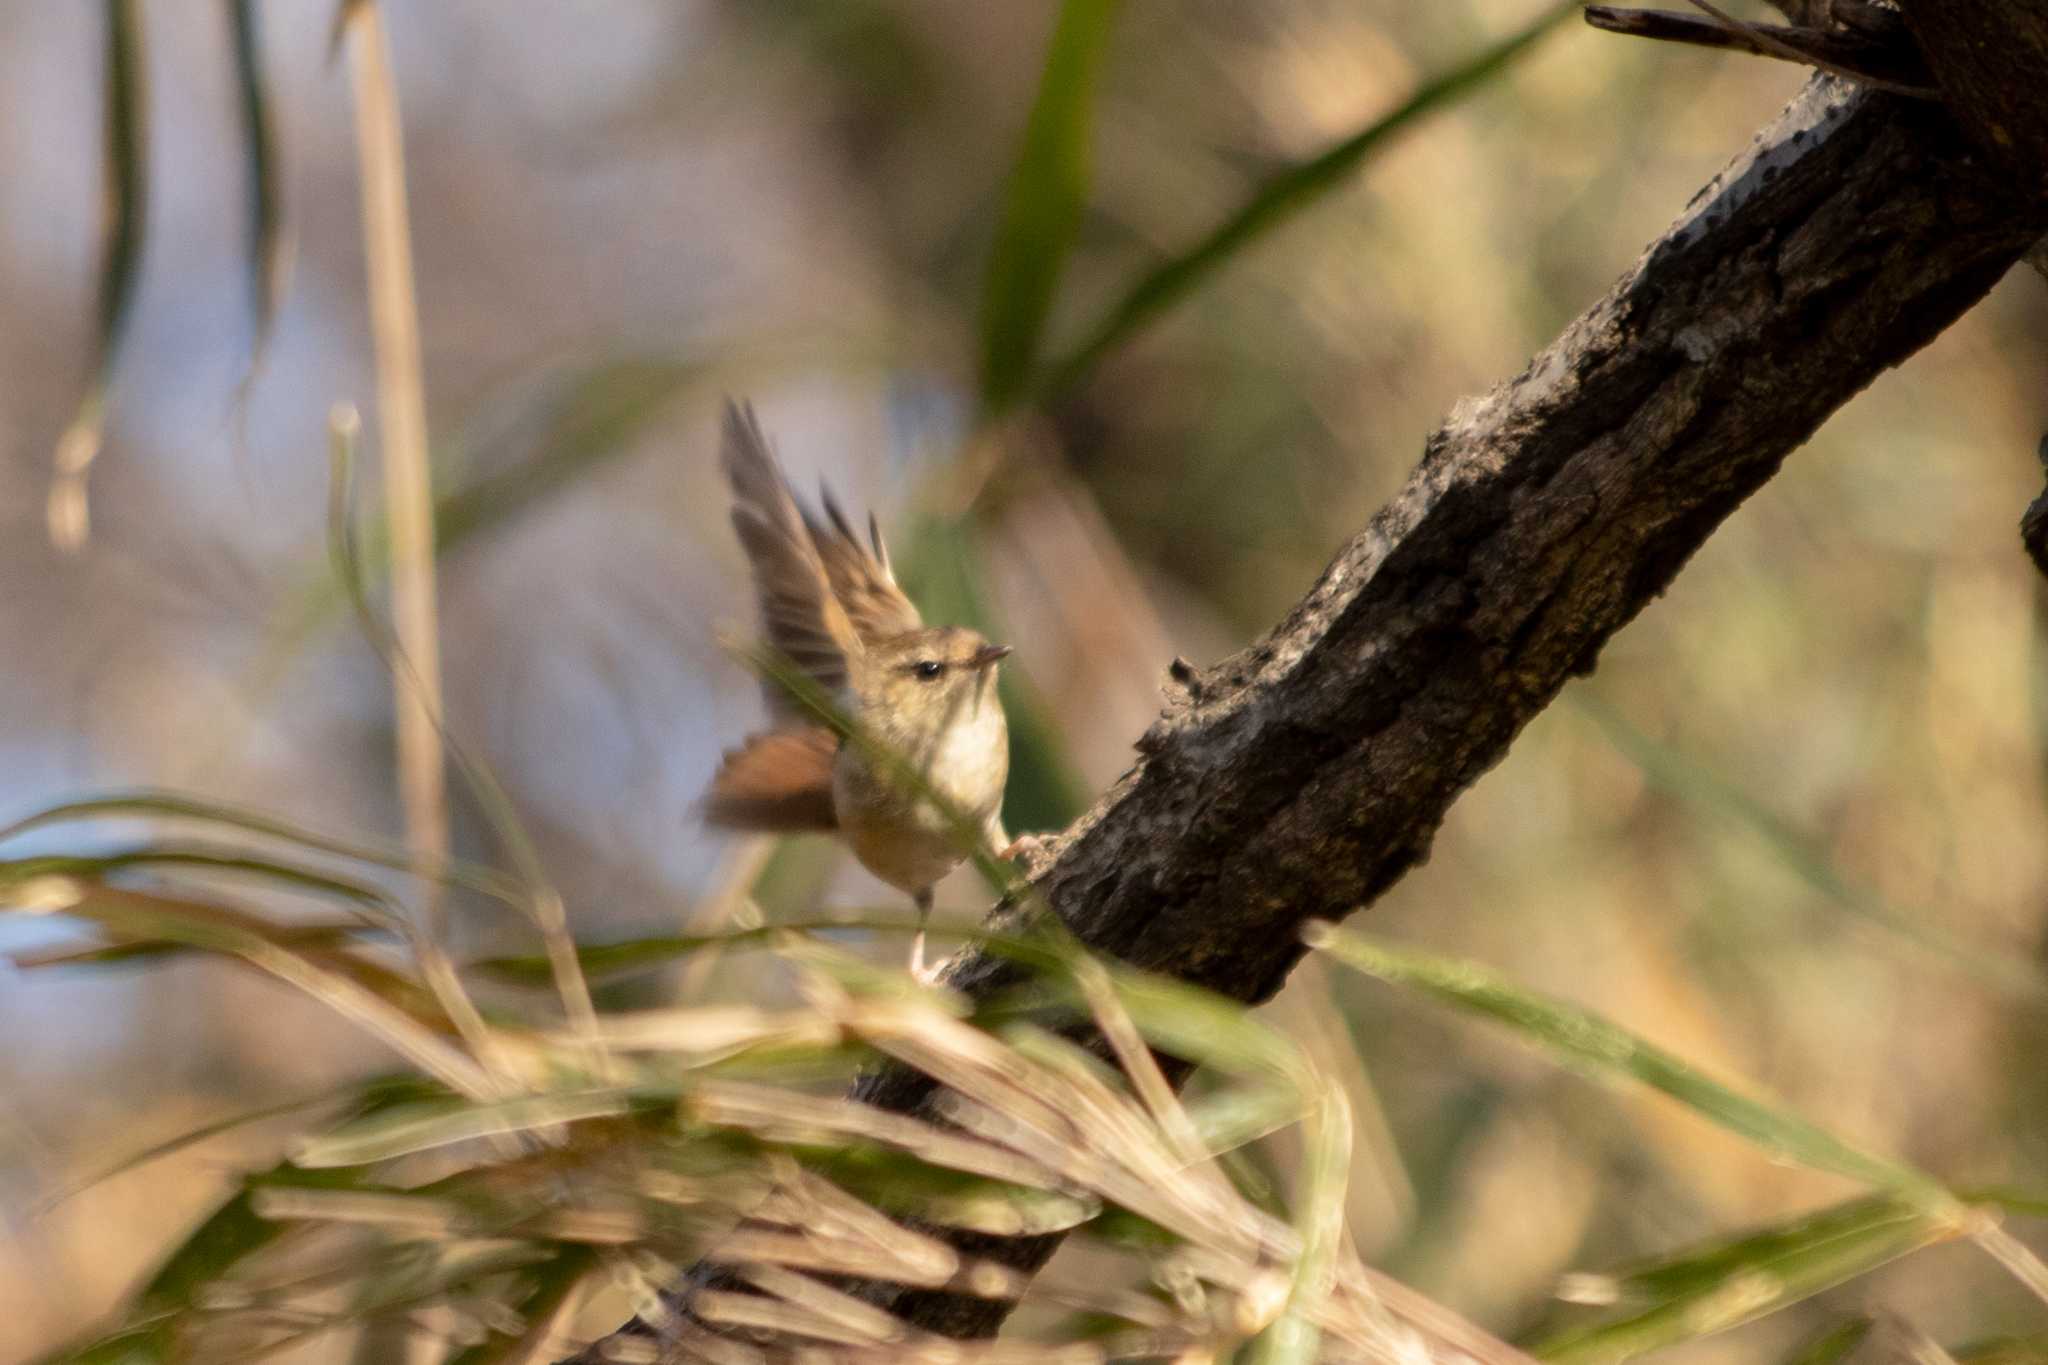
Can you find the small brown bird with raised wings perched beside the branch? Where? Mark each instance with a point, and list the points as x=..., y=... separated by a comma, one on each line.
x=923, y=695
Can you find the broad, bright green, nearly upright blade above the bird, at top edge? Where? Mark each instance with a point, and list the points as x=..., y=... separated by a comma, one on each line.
x=1043, y=204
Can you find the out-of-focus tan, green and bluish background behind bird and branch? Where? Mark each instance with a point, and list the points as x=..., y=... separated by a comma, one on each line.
x=1791, y=830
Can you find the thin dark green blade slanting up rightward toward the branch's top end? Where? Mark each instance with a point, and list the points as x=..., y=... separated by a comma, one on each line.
x=1277, y=202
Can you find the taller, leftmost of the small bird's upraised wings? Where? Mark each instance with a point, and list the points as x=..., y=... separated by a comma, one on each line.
x=802, y=611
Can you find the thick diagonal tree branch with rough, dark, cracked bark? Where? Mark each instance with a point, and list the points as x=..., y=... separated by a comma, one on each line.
x=1304, y=777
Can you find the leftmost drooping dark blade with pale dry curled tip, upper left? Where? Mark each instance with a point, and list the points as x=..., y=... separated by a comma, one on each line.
x=124, y=216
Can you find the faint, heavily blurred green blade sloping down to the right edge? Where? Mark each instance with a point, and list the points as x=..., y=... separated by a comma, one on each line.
x=1682, y=777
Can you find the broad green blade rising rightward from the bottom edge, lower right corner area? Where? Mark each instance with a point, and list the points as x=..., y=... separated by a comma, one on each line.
x=1736, y=1282
